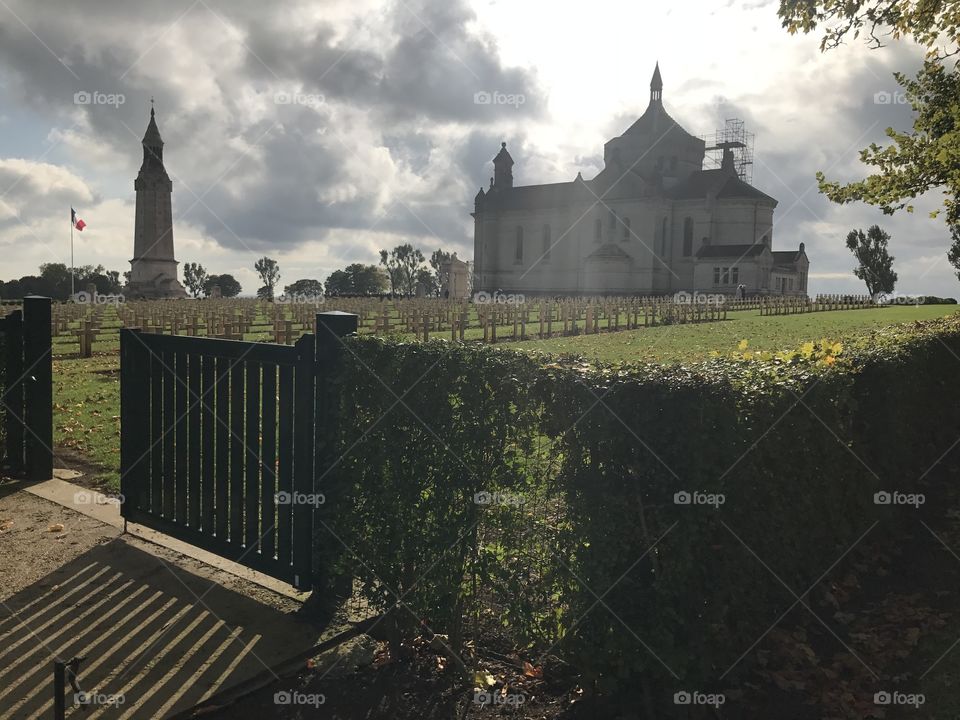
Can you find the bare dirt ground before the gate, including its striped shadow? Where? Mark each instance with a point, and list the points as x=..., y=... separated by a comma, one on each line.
x=159, y=631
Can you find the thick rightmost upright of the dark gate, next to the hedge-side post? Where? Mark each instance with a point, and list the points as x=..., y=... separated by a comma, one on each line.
x=304, y=409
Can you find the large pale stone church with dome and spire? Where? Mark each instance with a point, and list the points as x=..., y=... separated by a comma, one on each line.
x=653, y=221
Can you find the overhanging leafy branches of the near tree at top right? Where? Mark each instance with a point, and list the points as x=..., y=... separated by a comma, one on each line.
x=925, y=157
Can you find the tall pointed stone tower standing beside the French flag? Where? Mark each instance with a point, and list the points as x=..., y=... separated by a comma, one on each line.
x=153, y=269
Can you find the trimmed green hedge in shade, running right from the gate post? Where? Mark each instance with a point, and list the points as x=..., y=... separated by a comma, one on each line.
x=585, y=551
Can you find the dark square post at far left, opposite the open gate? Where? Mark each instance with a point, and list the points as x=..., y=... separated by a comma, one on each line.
x=38, y=387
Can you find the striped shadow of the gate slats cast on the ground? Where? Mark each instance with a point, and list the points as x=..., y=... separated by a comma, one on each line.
x=148, y=643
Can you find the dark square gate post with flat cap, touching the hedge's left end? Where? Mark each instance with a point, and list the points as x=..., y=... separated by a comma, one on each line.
x=331, y=328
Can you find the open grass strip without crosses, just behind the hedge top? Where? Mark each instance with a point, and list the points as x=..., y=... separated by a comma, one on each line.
x=689, y=343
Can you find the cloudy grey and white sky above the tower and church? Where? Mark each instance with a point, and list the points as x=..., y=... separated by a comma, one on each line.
x=320, y=131
